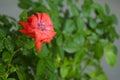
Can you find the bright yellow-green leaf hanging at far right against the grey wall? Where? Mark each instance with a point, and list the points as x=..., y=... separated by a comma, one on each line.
x=110, y=55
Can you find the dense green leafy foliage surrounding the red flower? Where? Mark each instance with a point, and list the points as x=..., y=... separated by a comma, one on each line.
x=85, y=33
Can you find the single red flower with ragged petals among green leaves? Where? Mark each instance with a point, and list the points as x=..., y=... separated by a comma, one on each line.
x=39, y=27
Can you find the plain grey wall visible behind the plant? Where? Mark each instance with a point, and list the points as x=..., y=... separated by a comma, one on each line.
x=10, y=8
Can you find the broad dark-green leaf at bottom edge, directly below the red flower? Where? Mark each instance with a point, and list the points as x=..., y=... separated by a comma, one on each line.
x=45, y=69
